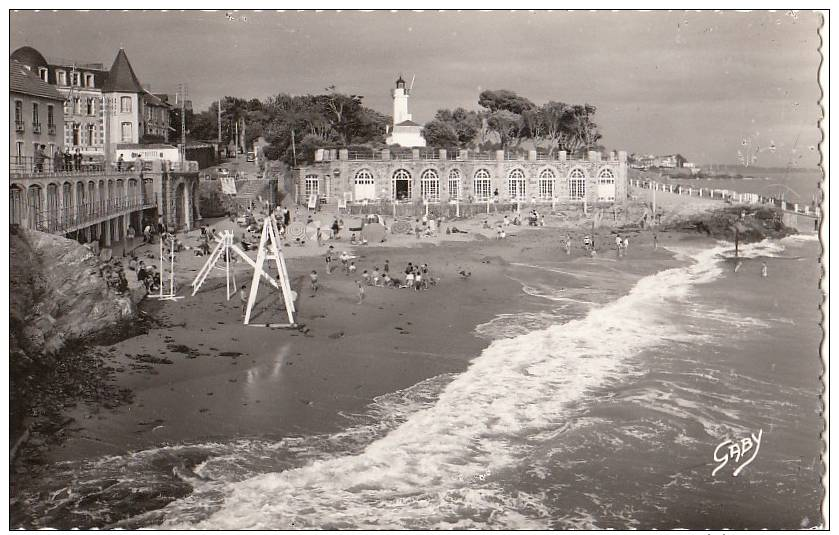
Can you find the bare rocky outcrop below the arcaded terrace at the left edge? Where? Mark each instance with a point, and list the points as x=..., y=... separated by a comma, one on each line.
x=57, y=293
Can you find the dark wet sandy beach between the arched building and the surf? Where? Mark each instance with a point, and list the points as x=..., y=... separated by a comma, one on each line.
x=218, y=378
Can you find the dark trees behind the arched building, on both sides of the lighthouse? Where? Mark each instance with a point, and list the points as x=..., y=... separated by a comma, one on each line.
x=294, y=126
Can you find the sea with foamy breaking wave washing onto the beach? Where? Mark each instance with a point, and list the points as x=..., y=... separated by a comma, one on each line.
x=592, y=408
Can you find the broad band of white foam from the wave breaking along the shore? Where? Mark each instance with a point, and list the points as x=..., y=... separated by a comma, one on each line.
x=438, y=468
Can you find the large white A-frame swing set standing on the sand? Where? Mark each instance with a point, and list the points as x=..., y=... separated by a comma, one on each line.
x=269, y=249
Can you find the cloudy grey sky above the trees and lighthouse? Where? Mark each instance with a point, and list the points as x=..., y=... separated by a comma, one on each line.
x=696, y=83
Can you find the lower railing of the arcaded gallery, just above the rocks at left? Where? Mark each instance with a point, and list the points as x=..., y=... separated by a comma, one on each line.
x=64, y=219
